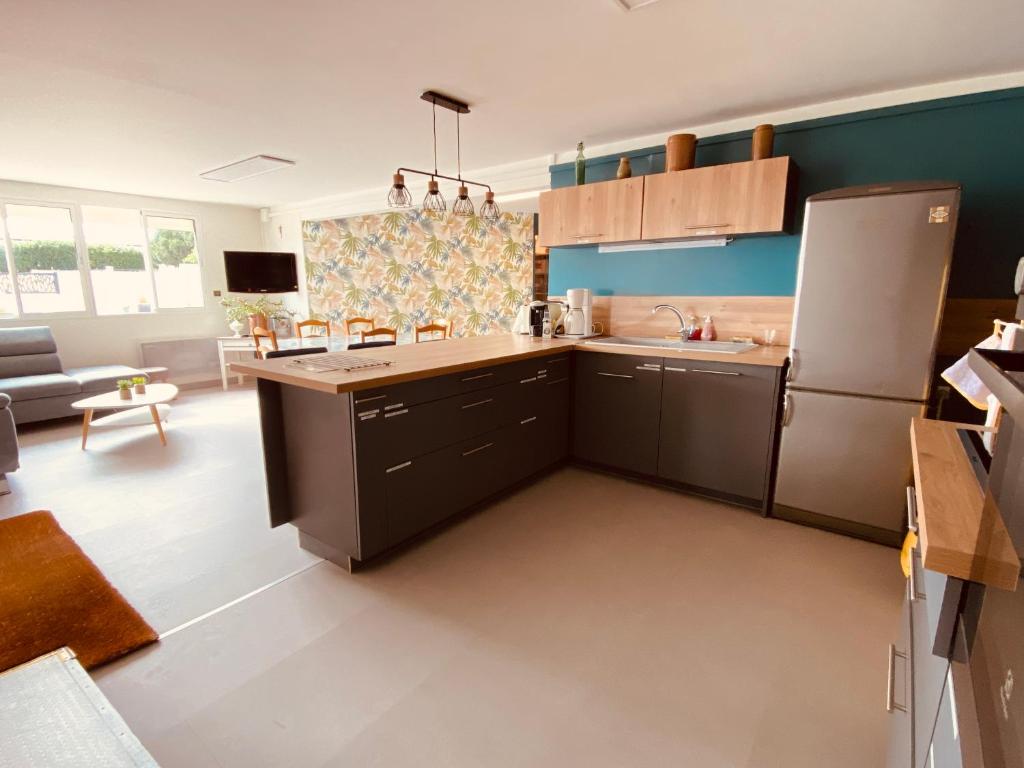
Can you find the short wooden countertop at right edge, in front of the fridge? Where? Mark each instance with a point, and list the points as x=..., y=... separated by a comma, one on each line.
x=960, y=528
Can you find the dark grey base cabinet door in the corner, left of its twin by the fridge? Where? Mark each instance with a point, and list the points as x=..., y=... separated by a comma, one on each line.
x=617, y=409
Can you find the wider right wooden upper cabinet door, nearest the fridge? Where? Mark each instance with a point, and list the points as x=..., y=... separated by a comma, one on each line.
x=732, y=199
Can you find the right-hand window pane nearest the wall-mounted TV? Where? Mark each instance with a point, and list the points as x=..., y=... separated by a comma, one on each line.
x=176, y=263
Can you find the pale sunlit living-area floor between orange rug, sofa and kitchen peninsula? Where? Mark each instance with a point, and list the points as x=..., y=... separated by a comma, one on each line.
x=181, y=530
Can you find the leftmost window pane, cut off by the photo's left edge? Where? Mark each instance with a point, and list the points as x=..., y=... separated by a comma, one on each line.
x=42, y=241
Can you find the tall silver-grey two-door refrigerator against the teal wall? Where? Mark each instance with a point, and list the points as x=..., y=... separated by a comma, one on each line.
x=874, y=268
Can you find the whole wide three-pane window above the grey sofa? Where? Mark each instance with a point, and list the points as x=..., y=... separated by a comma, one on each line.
x=71, y=259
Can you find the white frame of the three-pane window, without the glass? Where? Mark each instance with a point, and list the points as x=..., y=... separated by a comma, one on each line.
x=82, y=260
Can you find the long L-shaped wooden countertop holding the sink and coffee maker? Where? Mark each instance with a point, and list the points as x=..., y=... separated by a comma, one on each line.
x=411, y=362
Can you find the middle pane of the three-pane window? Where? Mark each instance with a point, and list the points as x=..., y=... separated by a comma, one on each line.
x=121, y=284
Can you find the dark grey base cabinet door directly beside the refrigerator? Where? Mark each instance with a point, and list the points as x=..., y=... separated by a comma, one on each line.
x=718, y=428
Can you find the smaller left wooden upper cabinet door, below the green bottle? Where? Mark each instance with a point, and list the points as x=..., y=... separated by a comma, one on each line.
x=603, y=212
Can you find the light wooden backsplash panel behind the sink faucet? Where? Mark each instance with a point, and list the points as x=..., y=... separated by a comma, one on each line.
x=735, y=316
